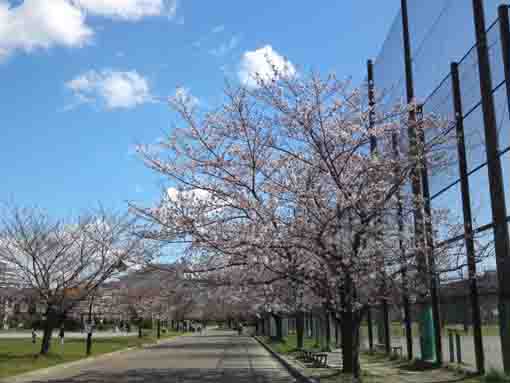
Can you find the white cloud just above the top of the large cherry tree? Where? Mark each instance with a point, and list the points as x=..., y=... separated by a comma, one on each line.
x=261, y=64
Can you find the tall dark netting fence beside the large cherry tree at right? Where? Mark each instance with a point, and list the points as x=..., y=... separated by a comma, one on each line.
x=462, y=185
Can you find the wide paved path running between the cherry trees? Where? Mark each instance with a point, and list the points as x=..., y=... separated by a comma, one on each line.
x=219, y=356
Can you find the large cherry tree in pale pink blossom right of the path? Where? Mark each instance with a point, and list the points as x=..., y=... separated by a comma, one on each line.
x=297, y=193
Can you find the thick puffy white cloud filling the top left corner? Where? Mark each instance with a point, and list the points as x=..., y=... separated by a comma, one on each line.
x=41, y=24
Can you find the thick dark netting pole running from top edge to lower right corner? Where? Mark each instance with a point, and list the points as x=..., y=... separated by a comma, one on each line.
x=497, y=191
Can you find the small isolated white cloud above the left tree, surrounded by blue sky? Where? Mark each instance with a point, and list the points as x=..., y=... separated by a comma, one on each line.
x=115, y=89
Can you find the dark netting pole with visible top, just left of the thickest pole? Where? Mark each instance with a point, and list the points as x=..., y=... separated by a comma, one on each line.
x=468, y=221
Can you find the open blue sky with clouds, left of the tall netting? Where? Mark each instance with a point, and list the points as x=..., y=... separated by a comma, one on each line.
x=79, y=79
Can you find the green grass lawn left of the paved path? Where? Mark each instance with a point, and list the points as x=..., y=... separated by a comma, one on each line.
x=20, y=355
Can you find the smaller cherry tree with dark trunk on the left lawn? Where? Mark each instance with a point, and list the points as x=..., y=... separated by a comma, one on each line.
x=66, y=261
